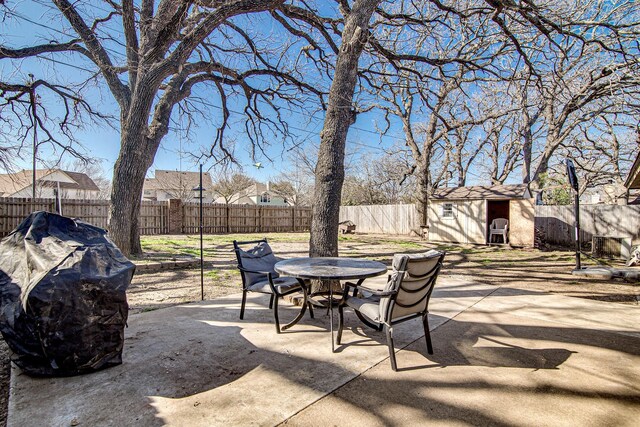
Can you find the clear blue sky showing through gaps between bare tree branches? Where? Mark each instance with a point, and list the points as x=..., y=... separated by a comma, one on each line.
x=29, y=24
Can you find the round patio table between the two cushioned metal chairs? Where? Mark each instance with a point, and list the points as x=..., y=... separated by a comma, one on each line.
x=330, y=268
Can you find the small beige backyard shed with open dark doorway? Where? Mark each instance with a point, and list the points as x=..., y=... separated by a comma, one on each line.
x=464, y=214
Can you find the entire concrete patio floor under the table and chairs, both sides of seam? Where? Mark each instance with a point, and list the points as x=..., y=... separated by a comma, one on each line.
x=503, y=356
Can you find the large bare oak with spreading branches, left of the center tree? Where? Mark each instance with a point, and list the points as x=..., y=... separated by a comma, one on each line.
x=170, y=48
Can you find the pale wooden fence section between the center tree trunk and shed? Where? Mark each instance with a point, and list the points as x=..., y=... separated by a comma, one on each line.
x=384, y=219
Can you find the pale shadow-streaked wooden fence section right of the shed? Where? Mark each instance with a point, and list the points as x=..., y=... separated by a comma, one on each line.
x=555, y=224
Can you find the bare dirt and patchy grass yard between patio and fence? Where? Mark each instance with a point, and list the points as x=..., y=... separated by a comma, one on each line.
x=548, y=271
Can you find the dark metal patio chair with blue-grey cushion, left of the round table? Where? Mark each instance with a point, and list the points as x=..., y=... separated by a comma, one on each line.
x=256, y=263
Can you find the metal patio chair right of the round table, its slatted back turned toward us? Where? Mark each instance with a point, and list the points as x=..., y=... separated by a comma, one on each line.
x=405, y=296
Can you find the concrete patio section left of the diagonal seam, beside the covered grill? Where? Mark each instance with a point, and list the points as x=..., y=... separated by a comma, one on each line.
x=199, y=364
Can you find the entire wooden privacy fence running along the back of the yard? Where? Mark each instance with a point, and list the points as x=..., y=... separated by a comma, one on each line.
x=554, y=224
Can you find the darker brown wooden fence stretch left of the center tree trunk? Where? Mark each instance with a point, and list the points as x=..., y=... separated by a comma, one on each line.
x=167, y=217
